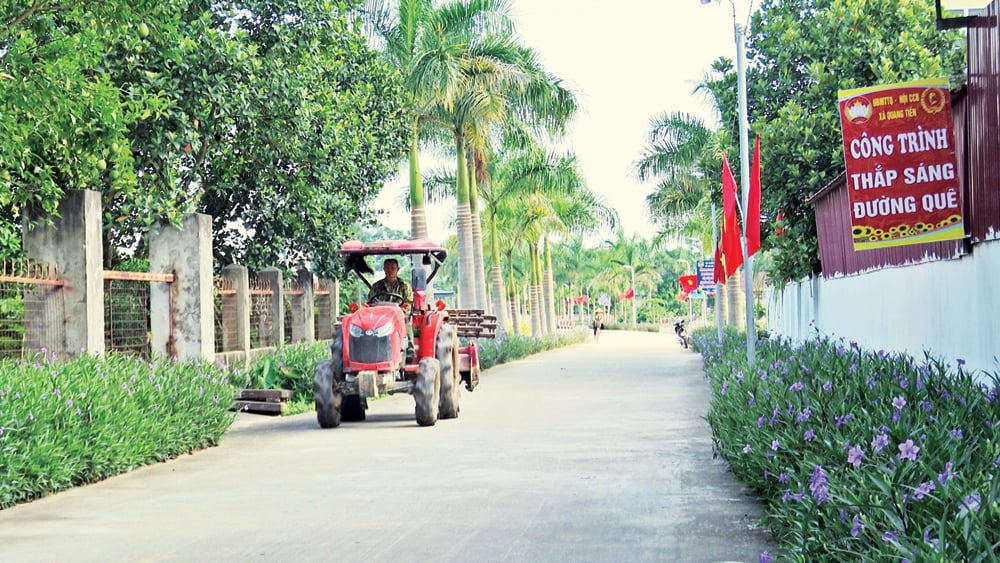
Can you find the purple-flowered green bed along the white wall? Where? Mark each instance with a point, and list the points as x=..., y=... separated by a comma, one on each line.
x=859, y=455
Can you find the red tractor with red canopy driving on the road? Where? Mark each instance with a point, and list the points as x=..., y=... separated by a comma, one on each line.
x=369, y=351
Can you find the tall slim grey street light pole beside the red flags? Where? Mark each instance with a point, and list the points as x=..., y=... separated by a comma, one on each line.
x=741, y=76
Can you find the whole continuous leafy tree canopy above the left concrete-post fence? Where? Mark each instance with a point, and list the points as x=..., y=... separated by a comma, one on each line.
x=276, y=118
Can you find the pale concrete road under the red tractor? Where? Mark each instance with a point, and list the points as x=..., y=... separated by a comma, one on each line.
x=595, y=452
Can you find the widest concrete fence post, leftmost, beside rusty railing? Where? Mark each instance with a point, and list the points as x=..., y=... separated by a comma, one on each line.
x=74, y=245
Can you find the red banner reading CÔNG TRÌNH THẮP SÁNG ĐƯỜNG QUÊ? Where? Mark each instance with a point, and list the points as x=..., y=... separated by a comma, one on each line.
x=902, y=174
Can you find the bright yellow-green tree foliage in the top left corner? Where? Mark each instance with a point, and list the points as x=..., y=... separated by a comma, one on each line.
x=59, y=112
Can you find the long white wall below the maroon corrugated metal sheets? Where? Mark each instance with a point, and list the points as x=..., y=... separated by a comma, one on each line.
x=949, y=308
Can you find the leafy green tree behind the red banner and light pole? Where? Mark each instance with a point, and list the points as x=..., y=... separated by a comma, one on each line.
x=801, y=53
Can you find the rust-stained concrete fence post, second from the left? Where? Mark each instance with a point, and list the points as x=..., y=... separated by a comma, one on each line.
x=181, y=312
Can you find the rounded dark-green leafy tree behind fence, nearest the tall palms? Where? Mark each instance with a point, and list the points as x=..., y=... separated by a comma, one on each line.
x=327, y=126
